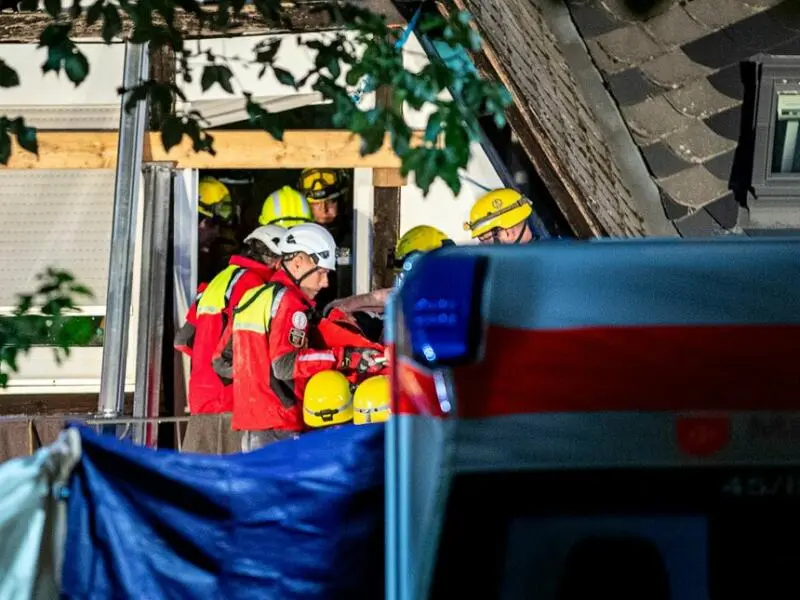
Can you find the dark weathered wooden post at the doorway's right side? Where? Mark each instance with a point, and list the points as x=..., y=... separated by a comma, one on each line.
x=386, y=214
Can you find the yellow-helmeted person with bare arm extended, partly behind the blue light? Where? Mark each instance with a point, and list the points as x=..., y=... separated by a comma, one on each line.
x=366, y=308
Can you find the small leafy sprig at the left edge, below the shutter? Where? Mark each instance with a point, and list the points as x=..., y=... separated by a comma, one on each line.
x=46, y=314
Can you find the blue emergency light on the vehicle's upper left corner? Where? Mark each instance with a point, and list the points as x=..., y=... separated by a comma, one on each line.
x=440, y=299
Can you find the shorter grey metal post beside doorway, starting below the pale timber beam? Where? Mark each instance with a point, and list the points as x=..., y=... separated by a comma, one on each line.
x=155, y=240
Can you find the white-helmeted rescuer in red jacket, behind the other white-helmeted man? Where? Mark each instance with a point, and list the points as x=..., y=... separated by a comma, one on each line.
x=209, y=389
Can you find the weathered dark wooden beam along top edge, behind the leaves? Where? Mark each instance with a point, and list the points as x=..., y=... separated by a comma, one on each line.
x=295, y=18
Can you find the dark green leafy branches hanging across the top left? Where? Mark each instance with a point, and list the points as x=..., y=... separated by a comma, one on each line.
x=345, y=66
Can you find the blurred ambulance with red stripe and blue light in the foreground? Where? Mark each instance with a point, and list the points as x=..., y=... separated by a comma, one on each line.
x=588, y=420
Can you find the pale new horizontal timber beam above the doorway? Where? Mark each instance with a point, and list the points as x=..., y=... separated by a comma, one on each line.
x=235, y=150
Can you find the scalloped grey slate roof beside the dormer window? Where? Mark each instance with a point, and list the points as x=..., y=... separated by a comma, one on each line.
x=675, y=74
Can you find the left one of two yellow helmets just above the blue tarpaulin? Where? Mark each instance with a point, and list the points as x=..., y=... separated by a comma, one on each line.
x=327, y=400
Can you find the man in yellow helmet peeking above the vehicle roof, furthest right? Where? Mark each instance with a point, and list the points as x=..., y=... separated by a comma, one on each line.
x=501, y=217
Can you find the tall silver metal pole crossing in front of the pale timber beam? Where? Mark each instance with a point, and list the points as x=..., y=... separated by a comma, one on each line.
x=123, y=236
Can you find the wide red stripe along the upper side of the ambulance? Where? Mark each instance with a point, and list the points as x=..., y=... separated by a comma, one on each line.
x=748, y=367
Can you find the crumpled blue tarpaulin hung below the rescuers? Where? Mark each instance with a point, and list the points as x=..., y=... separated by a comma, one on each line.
x=300, y=519
